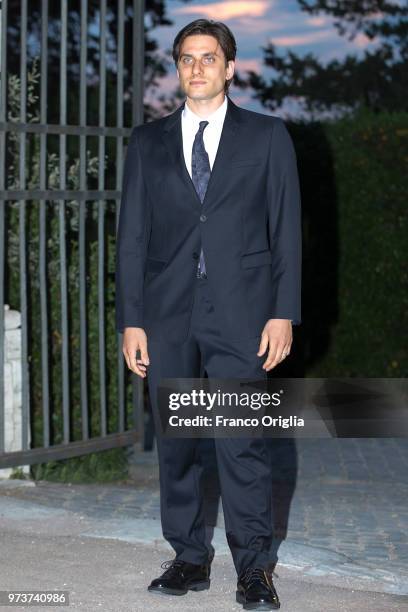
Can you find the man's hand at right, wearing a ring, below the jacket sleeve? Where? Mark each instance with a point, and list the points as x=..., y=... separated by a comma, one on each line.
x=277, y=333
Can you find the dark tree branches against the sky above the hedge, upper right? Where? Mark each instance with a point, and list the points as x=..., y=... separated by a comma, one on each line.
x=377, y=80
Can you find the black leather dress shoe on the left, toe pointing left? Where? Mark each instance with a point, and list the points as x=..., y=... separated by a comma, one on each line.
x=181, y=577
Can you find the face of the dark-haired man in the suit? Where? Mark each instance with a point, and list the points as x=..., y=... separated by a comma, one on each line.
x=201, y=69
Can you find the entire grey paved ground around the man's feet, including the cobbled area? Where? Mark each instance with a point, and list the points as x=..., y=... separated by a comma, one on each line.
x=346, y=544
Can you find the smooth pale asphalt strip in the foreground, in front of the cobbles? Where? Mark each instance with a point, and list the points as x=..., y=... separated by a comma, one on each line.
x=111, y=575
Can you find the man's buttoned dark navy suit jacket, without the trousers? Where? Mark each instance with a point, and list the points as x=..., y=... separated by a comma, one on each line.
x=249, y=226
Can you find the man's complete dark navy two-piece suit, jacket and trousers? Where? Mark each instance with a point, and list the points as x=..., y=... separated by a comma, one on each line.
x=250, y=230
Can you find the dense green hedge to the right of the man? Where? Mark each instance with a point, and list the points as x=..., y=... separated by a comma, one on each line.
x=354, y=176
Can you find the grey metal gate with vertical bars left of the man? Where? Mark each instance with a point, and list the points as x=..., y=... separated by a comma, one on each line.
x=21, y=199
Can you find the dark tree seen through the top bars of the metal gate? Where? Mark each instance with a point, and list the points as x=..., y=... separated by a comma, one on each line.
x=156, y=64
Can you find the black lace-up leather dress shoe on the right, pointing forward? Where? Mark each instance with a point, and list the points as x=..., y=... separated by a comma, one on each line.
x=255, y=590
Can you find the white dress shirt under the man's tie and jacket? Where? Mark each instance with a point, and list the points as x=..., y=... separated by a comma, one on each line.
x=212, y=133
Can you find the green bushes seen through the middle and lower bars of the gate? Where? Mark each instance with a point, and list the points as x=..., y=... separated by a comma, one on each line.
x=53, y=274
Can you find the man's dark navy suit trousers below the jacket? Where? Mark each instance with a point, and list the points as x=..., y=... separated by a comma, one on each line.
x=243, y=469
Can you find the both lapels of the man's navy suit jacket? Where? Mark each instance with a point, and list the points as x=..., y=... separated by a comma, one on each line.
x=173, y=139
